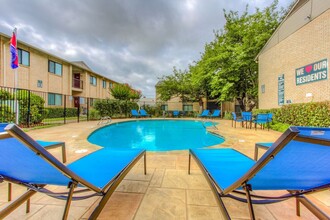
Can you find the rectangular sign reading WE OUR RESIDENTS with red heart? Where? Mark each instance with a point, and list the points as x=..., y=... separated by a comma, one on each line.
x=313, y=72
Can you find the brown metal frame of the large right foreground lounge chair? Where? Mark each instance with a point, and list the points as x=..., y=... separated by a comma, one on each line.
x=285, y=138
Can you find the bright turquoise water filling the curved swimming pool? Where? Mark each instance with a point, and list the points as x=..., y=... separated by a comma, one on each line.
x=155, y=135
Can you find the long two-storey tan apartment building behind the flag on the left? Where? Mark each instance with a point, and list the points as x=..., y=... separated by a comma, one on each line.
x=41, y=71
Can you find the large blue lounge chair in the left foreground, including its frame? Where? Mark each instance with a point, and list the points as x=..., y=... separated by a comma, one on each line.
x=23, y=161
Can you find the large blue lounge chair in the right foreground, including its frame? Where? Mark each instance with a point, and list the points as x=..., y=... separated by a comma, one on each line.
x=297, y=162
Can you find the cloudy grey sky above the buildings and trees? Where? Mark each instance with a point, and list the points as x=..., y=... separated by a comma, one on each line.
x=130, y=41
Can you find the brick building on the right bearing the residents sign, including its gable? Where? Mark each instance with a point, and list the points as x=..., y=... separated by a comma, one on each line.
x=293, y=65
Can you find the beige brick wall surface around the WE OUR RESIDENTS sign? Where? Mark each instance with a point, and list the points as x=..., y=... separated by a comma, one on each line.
x=307, y=45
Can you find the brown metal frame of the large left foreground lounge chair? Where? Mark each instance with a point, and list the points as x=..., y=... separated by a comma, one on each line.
x=105, y=192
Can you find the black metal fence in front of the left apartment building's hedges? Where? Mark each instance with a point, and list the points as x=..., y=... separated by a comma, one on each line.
x=34, y=108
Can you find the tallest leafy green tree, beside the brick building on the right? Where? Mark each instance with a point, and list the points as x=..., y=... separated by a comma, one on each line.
x=227, y=69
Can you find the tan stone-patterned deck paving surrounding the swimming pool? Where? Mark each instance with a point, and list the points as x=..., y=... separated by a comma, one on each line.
x=166, y=192
